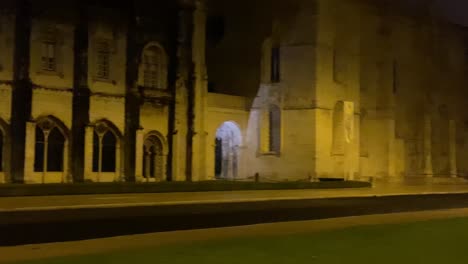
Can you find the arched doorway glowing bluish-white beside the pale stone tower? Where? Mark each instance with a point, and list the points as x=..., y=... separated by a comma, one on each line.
x=227, y=144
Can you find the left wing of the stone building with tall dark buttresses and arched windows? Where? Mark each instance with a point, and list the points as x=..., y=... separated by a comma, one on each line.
x=101, y=91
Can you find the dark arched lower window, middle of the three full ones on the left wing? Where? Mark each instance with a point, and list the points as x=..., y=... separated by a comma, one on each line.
x=104, y=149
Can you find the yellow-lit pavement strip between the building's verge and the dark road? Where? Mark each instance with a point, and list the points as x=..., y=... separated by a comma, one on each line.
x=9, y=204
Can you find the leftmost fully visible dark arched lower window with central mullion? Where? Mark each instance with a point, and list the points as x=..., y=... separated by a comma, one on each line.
x=50, y=145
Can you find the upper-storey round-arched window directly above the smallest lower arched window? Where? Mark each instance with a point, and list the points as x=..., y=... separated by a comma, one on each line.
x=153, y=68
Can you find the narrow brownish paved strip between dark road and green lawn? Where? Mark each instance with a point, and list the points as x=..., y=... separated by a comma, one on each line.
x=108, y=245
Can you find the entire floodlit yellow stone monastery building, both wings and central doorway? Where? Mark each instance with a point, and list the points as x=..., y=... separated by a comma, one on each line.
x=190, y=90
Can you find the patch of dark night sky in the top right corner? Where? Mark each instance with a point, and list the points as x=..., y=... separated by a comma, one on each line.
x=455, y=10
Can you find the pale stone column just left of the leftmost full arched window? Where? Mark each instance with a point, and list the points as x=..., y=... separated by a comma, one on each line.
x=30, y=153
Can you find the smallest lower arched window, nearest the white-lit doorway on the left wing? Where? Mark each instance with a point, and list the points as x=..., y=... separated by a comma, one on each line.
x=153, y=160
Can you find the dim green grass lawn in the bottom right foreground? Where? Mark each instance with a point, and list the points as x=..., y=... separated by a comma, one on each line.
x=441, y=241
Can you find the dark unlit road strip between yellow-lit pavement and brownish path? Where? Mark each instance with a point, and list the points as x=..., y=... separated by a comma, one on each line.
x=29, y=227
